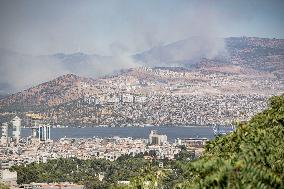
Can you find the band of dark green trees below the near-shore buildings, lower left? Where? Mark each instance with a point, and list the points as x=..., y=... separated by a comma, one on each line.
x=81, y=171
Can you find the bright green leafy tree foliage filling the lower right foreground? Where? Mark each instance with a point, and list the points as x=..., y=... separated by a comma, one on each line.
x=251, y=157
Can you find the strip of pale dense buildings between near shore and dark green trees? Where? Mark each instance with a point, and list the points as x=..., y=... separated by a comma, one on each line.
x=29, y=150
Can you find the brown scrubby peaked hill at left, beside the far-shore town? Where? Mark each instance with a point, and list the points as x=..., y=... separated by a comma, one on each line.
x=60, y=90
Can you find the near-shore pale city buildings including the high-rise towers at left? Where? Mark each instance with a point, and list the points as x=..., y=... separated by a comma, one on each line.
x=39, y=147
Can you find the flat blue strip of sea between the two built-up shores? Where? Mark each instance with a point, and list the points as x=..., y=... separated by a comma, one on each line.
x=134, y=132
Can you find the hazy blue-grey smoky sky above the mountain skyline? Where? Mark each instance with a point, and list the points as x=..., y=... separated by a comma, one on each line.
x=109, y=26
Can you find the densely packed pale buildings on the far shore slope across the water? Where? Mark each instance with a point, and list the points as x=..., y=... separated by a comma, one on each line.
x=158, y=110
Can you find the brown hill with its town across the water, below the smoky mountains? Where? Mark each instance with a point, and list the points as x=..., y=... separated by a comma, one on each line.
x=147, y=96
